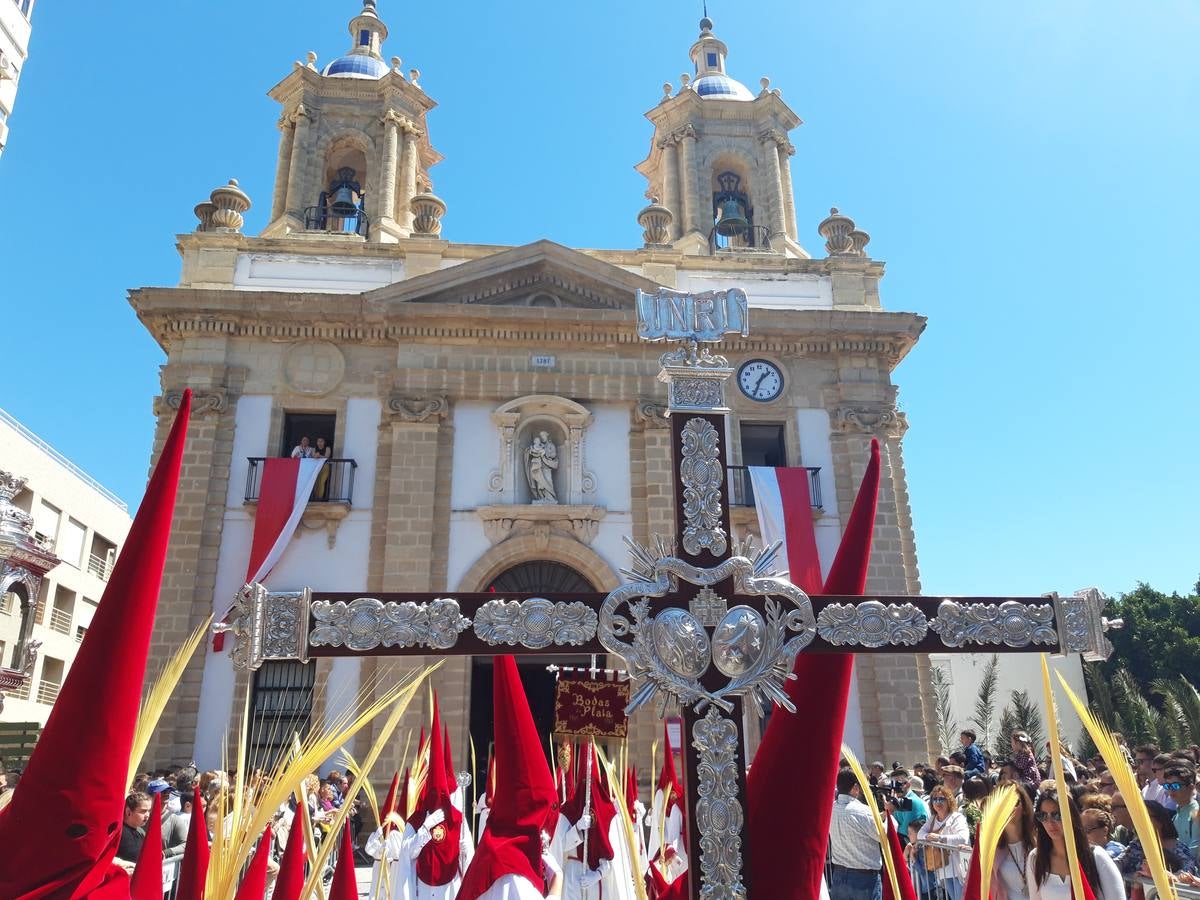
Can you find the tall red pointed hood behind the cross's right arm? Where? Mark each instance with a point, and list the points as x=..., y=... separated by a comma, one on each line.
x=787, y=829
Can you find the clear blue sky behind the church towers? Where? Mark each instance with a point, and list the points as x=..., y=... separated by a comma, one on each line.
x=1027, y=170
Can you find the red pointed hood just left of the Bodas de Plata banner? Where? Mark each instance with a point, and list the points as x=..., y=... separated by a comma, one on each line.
x=524, y=803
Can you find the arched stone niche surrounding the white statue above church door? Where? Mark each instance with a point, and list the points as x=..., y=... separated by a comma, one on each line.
x=525, y=421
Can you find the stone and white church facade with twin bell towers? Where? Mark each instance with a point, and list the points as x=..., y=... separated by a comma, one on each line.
x=494, y=421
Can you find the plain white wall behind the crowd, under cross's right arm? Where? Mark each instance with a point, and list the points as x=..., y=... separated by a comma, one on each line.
x=1018, y=671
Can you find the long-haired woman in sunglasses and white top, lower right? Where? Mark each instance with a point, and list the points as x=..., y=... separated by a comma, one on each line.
x=1048, y=873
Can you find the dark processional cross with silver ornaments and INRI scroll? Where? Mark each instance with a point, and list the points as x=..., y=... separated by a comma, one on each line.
x=704, y=628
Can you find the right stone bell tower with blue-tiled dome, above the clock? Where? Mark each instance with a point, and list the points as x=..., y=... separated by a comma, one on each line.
x=721, y=161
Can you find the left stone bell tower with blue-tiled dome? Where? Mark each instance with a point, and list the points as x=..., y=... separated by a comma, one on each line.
x=355, y=151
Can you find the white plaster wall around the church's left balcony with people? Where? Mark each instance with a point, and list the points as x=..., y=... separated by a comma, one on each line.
x=308, y=562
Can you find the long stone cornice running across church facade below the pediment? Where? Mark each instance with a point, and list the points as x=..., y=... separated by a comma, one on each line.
x=176, y=314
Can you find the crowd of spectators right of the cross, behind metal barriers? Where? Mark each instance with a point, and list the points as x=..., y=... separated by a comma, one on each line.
x=937, y=812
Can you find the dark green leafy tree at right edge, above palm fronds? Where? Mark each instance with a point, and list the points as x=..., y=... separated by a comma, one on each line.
x=1161, y=638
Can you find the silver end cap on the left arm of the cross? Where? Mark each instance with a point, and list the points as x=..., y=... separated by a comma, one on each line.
x=267, y=626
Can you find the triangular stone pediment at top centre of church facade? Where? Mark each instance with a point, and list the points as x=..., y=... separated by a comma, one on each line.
x=542, y=274
